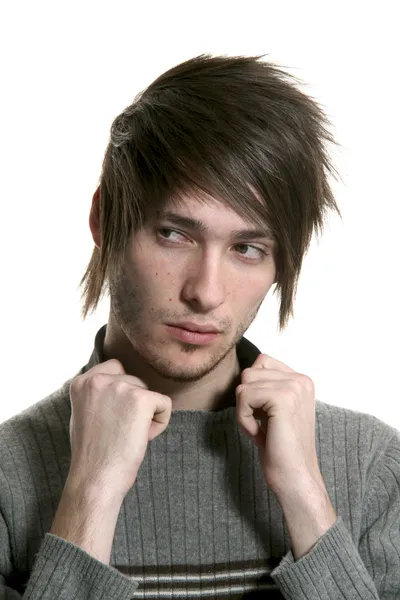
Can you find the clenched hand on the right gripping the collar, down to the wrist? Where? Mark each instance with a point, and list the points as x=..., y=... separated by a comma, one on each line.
x=284, y=401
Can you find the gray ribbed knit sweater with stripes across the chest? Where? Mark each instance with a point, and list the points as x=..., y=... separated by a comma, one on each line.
x=200, y=521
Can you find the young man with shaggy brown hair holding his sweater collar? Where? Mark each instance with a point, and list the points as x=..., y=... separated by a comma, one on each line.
x=181, y=460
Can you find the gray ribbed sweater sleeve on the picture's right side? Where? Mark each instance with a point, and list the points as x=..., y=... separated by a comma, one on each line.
x=335, y=567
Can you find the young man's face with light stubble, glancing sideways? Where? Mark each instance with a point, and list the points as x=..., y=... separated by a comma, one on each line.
x=174, y=273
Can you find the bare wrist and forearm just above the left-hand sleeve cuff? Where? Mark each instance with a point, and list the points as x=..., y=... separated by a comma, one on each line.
x=87, y=517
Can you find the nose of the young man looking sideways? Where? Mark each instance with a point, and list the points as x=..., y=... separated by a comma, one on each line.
x=205, y=282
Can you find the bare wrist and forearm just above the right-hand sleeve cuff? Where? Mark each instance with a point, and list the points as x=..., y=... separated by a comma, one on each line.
x=308, y=514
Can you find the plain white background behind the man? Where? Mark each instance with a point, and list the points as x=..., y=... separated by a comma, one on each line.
x=68, y=68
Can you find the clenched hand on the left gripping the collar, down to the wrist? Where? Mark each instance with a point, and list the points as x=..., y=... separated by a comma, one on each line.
x=113, y=417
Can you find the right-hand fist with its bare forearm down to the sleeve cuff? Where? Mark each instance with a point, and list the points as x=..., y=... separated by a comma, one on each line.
x=284, y=402
